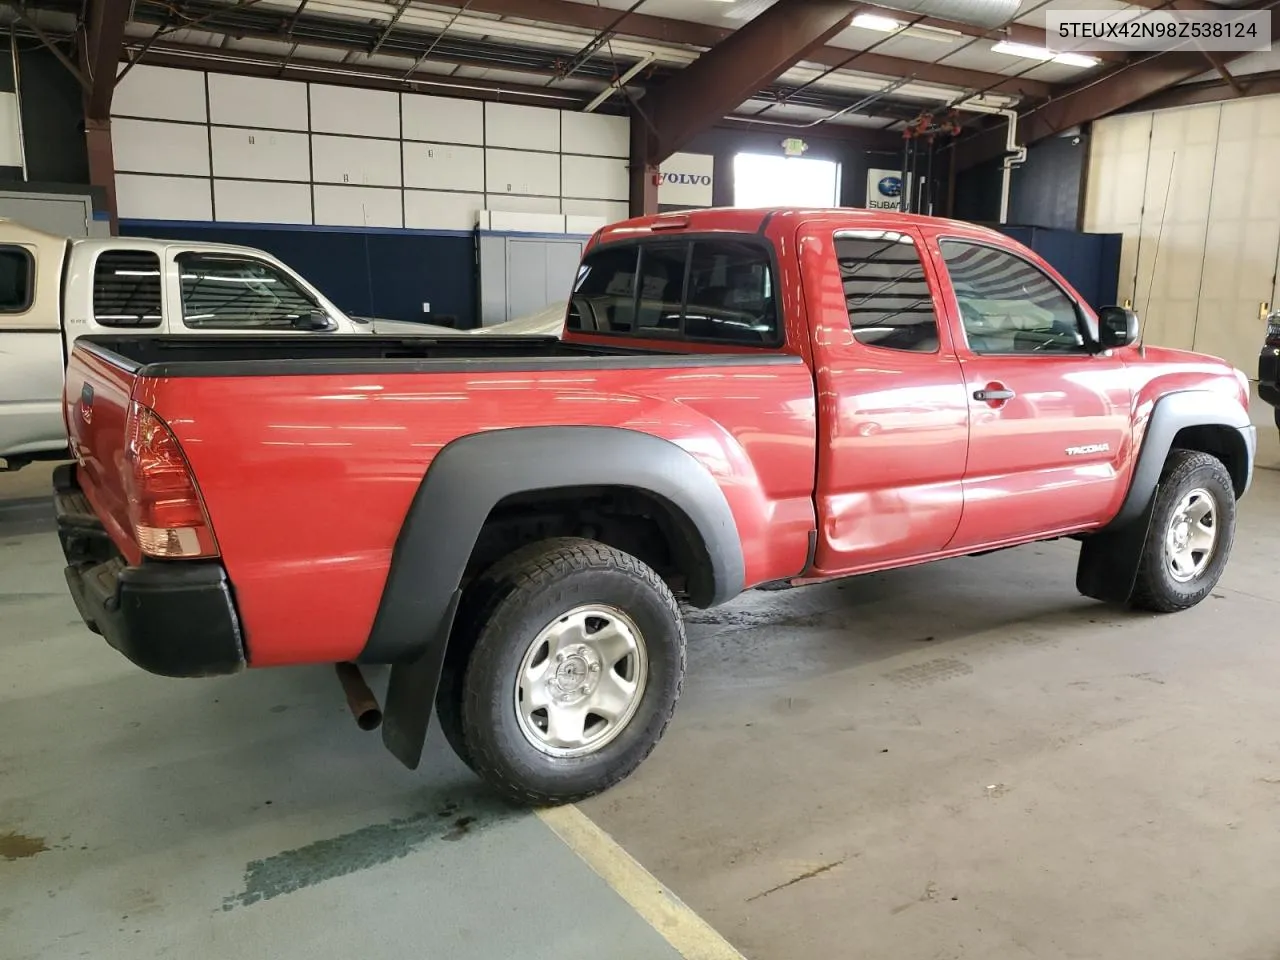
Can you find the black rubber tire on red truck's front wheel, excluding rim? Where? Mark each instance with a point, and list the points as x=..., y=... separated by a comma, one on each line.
x=1156, y=588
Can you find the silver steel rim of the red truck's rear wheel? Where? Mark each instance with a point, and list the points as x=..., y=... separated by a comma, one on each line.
x=582, y=682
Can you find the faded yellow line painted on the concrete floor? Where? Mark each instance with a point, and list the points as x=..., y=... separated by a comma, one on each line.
x=688, y=934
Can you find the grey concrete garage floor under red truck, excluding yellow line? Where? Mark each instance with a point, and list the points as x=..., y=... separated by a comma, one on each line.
x=966, y=760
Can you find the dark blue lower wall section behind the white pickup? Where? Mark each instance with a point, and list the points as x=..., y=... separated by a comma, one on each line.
x=380, y=273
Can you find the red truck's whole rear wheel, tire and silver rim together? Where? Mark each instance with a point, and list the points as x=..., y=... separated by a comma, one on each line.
x=577, y=668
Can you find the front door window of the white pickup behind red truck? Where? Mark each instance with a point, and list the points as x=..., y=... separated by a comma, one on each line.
x=222, y=292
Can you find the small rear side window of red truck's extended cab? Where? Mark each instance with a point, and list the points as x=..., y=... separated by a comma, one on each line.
x=886, y=291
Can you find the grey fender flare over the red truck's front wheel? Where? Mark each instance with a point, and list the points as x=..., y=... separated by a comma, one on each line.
x=1172, y=414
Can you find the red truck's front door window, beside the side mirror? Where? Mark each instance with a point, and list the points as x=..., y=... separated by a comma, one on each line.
x=1008, y=305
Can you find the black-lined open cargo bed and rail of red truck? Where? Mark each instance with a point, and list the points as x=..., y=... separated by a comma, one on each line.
x=277, y=356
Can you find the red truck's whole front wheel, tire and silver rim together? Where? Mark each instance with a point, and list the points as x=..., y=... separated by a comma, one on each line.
x=1191, y=536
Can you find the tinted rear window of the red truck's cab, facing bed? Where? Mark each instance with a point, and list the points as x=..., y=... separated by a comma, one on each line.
x=715, y=290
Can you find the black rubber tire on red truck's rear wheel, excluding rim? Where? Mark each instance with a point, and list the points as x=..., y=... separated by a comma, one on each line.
x=514, y=604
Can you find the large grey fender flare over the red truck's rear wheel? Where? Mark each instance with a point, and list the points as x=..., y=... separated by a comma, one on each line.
x=473, y=474
